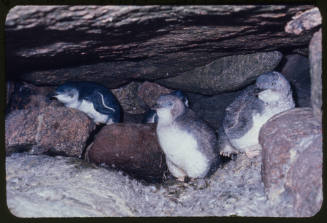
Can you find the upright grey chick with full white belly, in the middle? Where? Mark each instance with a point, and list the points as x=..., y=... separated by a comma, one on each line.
x=188, y=142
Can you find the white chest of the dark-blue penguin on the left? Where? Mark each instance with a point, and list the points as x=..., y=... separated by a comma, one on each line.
x=88, y=108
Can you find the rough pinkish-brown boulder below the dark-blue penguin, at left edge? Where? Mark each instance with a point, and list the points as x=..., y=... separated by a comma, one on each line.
x=50, y=129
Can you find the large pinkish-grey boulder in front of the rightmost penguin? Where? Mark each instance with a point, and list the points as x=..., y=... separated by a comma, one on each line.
x=292, y=160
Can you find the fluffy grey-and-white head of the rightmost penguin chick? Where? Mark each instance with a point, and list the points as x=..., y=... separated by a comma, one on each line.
x=273, y=86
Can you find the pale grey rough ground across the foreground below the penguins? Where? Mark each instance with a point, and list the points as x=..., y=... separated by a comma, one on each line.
x=43, y=186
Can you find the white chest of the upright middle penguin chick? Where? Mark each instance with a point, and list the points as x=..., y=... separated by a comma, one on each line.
x=178, y=146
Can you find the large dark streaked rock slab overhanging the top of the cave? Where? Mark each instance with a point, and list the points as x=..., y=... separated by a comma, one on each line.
x=114, y=44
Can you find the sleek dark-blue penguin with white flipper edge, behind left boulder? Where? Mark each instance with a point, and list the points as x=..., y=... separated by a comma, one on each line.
x=93, y=99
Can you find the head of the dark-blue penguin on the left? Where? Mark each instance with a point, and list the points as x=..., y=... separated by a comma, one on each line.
x=66, y=93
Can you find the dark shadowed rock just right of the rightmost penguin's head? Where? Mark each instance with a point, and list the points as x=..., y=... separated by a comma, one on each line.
x=297, y=71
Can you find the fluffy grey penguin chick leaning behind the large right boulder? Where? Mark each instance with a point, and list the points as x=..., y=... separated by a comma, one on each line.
x=244, y=117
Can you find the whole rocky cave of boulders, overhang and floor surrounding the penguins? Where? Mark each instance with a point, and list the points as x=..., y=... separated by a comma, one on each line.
x=60, y=164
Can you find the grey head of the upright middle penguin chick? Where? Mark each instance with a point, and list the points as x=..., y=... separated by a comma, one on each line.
x=168, y=108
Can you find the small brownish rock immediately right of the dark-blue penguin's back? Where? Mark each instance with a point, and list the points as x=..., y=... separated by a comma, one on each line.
x=127, y=97
